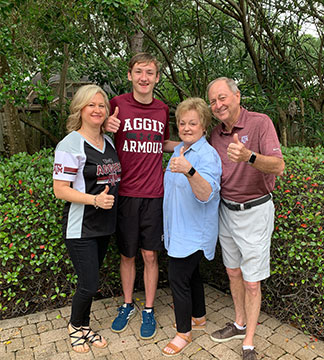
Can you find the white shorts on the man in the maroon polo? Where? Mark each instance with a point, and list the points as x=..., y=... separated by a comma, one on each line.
x=245, y=238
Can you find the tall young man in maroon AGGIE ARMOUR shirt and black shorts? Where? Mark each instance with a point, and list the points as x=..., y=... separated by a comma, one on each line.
x=141, y=127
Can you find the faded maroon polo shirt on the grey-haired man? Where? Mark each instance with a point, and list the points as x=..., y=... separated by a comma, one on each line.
x=241, y=182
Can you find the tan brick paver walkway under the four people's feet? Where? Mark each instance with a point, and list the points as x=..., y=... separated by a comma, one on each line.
x=43, y=336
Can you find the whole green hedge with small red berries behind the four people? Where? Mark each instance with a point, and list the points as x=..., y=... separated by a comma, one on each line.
x=36, y=272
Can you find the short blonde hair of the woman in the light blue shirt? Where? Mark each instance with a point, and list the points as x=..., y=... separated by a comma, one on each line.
x=198, y=105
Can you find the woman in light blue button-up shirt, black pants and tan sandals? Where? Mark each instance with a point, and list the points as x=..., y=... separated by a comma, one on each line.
x=191, y=199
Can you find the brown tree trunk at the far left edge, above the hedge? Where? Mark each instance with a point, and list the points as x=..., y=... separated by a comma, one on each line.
x=13, y=135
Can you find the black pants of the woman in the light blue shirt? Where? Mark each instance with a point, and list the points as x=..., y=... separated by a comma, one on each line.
x=187, y=290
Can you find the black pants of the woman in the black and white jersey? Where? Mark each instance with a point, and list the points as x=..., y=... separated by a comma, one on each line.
x=87, y=255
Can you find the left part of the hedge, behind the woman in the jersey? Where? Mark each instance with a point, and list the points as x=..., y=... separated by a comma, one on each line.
x=35, y=268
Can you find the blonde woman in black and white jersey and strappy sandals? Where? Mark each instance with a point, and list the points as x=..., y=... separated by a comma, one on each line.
x=86, y=175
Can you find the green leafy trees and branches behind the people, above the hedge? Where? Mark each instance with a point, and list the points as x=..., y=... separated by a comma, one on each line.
x=278, y=66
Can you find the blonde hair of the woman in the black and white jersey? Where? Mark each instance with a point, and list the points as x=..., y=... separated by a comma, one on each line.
x=82, y=98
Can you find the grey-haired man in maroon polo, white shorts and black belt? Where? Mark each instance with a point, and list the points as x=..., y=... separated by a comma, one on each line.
x=251, y=158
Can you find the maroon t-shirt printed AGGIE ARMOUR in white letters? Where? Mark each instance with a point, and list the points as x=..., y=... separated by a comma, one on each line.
x=139, y=145
